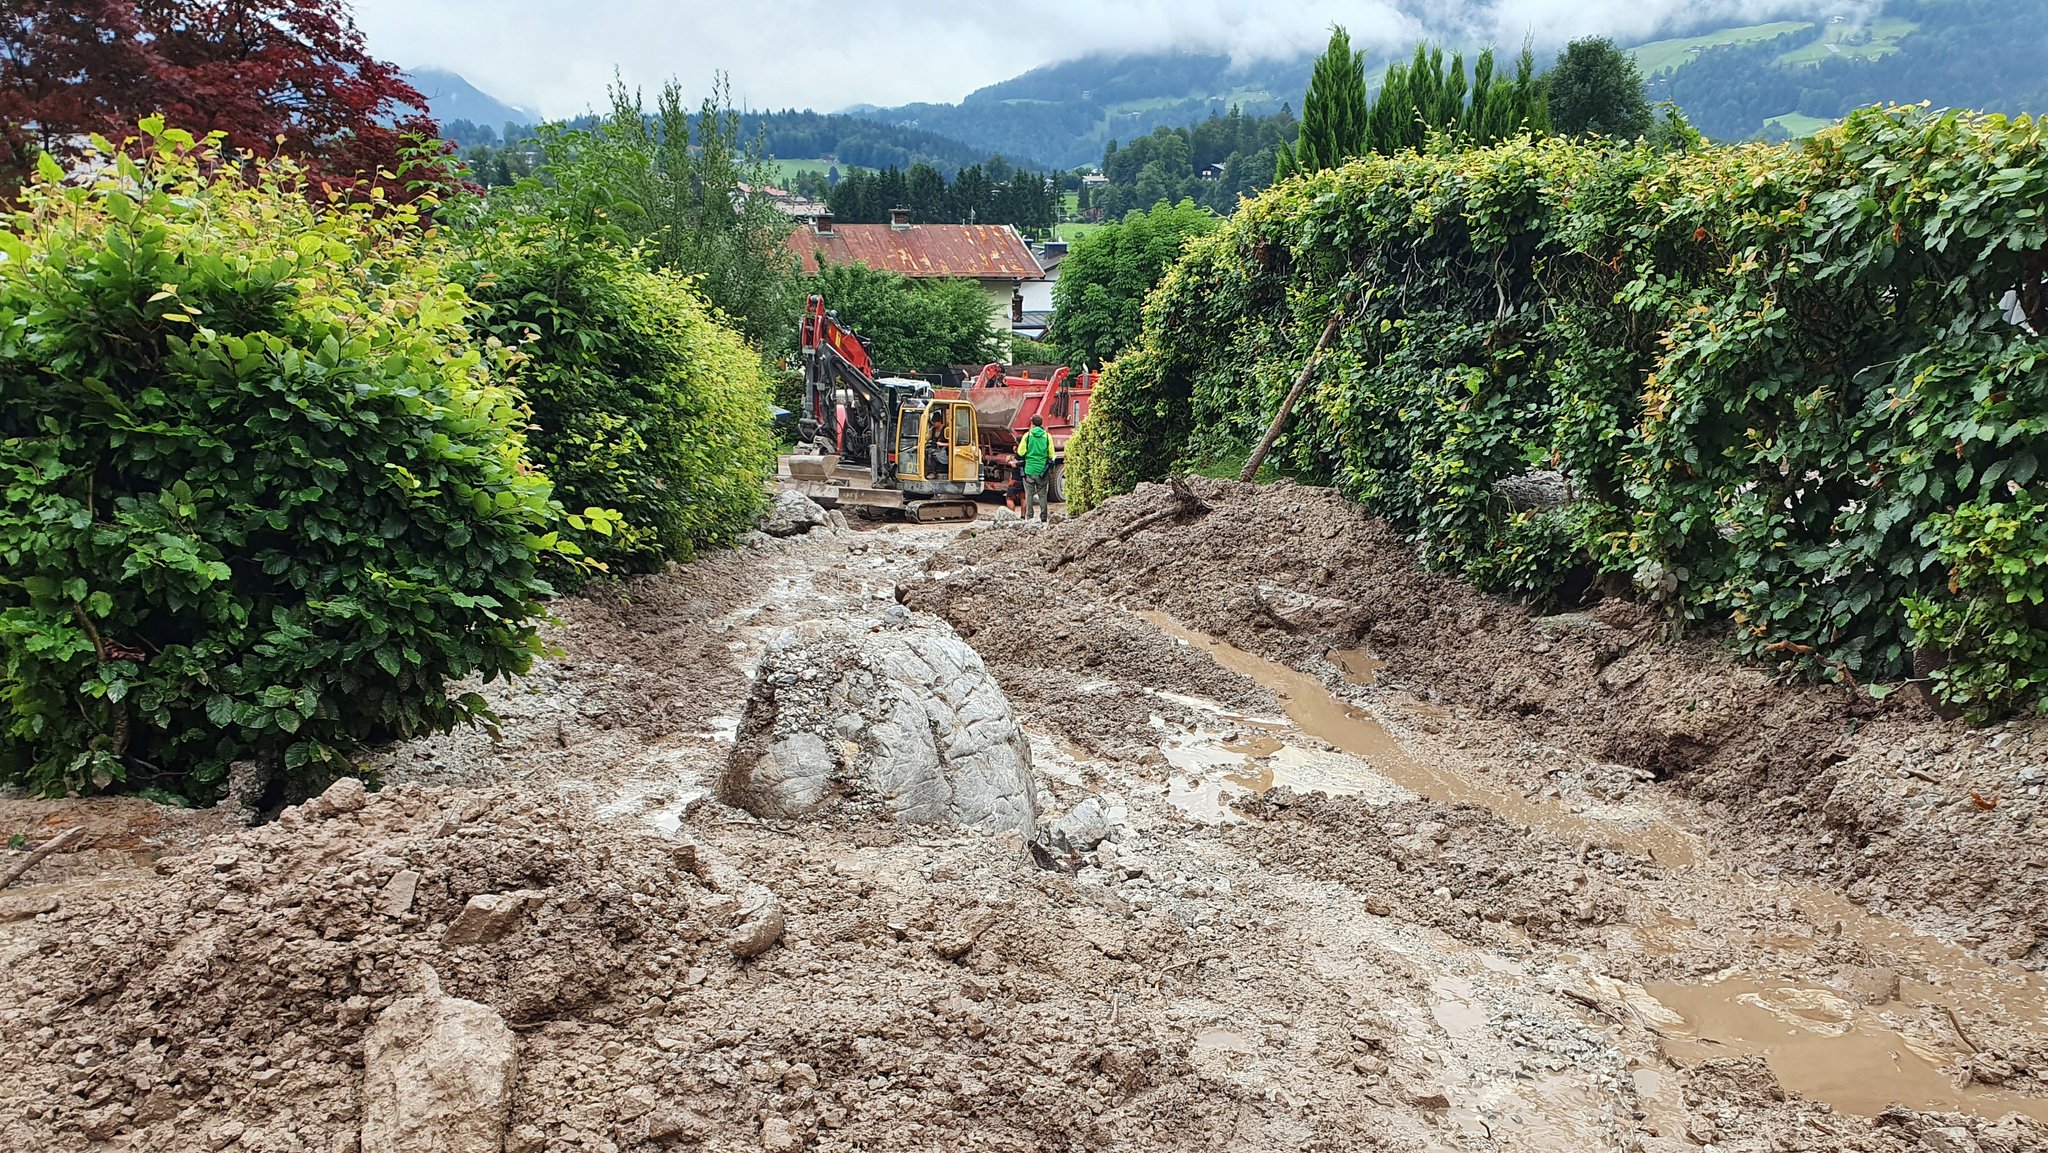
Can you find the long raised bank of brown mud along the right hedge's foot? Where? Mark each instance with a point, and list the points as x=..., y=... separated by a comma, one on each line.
x=1826, y=783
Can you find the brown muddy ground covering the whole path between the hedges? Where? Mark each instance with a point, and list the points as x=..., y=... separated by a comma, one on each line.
x=1392, y=865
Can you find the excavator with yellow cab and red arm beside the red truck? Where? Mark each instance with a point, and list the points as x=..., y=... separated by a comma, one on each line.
x=880, y=445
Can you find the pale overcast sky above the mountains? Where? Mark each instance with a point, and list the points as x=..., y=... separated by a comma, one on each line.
x=556, y=56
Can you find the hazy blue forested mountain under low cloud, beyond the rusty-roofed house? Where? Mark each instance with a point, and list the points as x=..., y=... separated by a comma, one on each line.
x=1066, y=114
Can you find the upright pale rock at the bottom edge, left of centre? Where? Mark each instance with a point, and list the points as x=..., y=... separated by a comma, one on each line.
x=437, y=1078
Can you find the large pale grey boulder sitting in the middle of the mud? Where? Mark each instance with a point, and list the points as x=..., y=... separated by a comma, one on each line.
x=900, y=718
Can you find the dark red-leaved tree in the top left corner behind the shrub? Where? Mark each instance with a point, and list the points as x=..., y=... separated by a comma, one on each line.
x=251, y=69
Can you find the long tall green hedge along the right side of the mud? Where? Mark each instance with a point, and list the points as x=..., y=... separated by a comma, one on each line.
x=1785, y=380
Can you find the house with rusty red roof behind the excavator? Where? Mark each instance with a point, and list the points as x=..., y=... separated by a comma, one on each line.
x=990, y=255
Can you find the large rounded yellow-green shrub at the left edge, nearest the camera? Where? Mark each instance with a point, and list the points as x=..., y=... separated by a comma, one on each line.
x=263, y=501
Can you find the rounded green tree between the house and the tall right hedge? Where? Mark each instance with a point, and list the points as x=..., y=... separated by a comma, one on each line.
x=1107, y=273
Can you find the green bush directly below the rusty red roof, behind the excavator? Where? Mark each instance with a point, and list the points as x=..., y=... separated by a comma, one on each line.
x=914, y=325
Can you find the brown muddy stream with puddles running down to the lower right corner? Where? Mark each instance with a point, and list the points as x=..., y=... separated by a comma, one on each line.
x=1822, y=1043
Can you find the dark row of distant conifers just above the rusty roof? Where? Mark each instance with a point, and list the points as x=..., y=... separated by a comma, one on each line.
x=992, y=194
